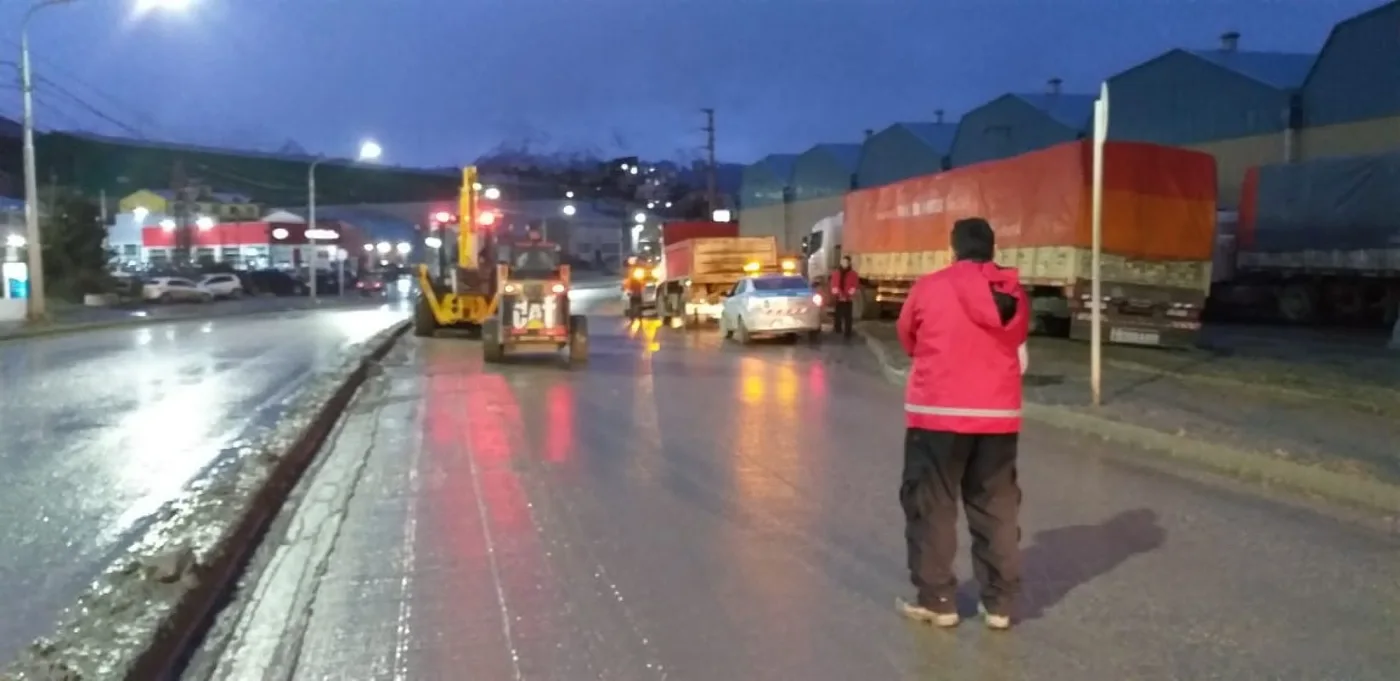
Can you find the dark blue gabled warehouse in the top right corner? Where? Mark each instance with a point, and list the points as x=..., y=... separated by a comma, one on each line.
x=1352, y=99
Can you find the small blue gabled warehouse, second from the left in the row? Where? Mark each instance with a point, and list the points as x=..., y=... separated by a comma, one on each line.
x=821, y=179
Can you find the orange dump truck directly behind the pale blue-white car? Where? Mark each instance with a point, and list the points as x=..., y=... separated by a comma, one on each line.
x=701, y=263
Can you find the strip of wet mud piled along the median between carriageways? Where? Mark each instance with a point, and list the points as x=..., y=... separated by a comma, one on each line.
x=155, y=595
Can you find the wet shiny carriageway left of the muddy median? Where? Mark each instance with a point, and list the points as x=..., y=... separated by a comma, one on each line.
x=103, y=428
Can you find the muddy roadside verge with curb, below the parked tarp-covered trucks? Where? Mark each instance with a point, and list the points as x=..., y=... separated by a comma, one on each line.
x=1305, y=439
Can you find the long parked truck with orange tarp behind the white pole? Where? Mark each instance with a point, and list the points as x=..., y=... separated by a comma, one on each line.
x=1158, y=236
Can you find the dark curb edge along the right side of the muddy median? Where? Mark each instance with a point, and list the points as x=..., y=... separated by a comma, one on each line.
x=164, y=649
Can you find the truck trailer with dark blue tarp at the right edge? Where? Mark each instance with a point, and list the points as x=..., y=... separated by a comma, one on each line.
x=1317, y=243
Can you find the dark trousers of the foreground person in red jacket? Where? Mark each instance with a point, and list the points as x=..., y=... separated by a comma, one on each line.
x=981, y=470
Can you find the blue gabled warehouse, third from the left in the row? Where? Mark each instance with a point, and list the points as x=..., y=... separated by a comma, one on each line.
x=906, y=151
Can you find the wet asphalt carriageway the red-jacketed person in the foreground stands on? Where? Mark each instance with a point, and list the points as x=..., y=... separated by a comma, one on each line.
x=688, y=511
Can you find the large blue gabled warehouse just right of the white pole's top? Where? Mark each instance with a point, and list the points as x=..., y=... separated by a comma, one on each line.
x=1241, y=107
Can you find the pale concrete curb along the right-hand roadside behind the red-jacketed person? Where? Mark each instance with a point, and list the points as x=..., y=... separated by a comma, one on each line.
x=1244, y=465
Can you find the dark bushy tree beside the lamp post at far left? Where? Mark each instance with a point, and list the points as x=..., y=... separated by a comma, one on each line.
x=75, y=260
